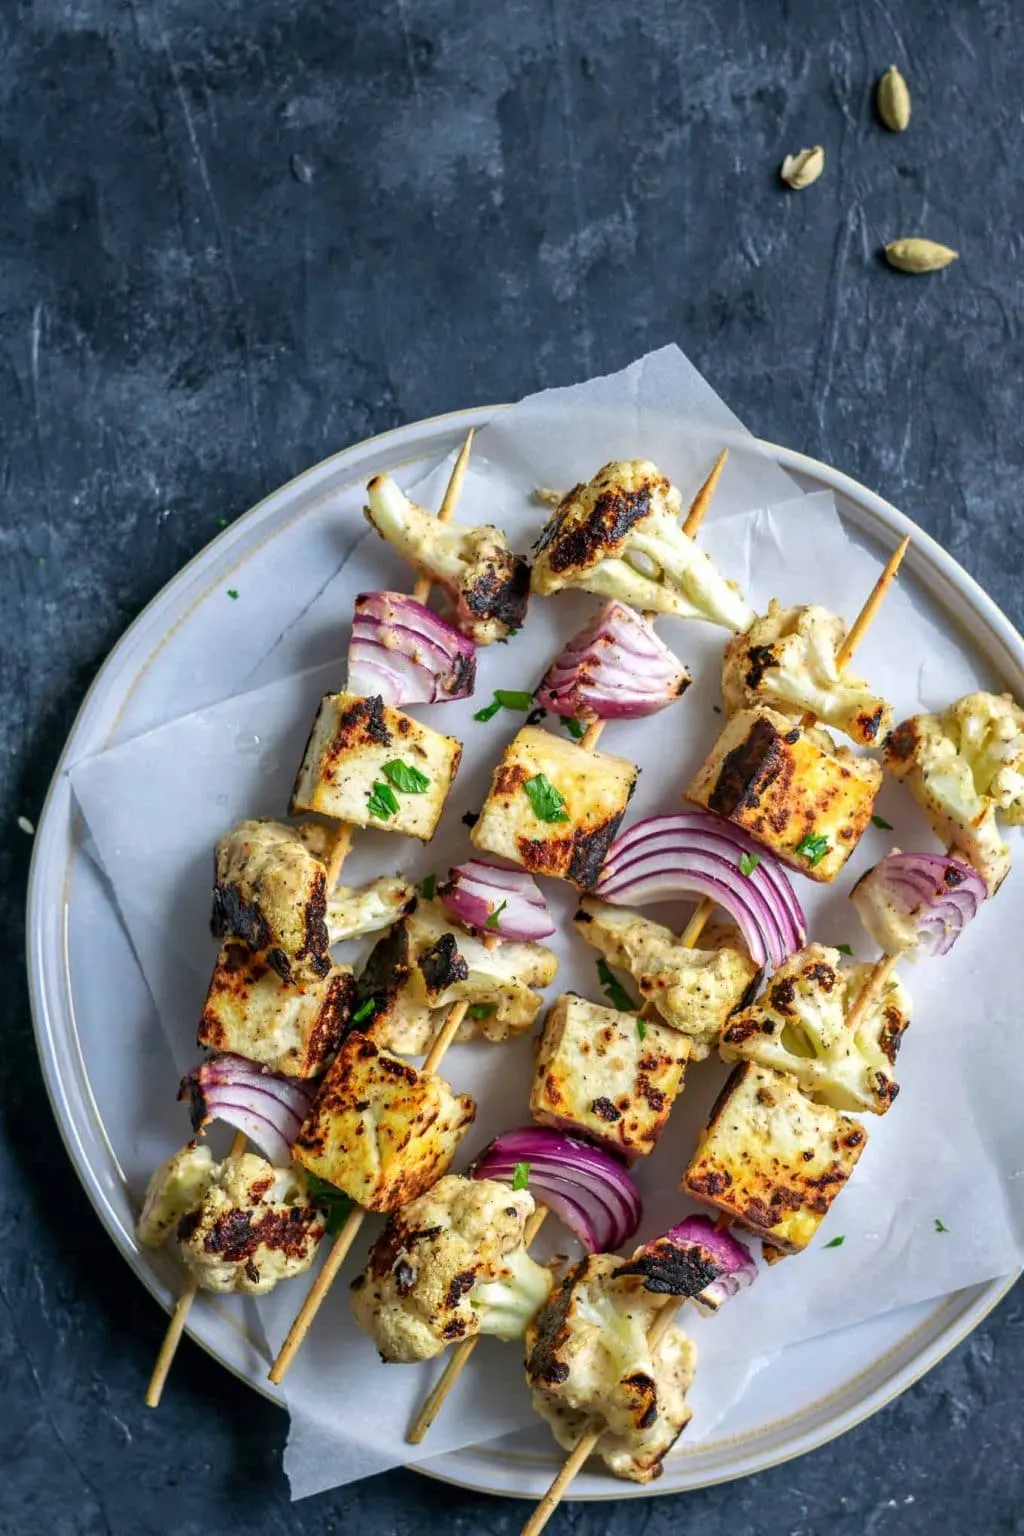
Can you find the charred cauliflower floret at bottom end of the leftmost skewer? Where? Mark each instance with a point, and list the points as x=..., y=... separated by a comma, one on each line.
x=240, y=1225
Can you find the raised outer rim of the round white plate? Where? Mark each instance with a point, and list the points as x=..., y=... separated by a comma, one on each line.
x=882, y=520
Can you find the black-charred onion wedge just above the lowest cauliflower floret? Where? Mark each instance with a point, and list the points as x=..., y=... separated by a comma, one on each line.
x=695, y=1260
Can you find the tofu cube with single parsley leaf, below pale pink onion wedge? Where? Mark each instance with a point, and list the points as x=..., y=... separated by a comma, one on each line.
x=555, y=809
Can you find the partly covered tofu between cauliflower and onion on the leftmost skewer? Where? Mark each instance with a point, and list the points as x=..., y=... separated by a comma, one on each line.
x=289, y=1027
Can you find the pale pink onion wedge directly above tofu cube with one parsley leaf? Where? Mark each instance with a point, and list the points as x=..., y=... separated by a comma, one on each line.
x=616, y=669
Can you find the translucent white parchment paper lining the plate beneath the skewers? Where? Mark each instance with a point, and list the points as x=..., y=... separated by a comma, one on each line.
x=950, y=1151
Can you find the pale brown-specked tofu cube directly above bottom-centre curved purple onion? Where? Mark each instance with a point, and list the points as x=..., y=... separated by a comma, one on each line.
x=607, y=1074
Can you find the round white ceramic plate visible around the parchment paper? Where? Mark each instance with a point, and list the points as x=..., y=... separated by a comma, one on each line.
x=185, y=652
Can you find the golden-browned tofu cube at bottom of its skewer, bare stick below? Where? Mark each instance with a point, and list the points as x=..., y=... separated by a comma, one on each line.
x=382, y=1131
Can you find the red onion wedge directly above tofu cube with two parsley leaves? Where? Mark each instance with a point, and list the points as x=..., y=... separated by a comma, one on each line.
x=406, y=654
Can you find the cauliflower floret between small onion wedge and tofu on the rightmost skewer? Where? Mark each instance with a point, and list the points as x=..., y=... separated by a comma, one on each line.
x=799, y=1027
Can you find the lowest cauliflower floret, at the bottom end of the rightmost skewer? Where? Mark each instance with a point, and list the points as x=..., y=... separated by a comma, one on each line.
x=589, y=1359
